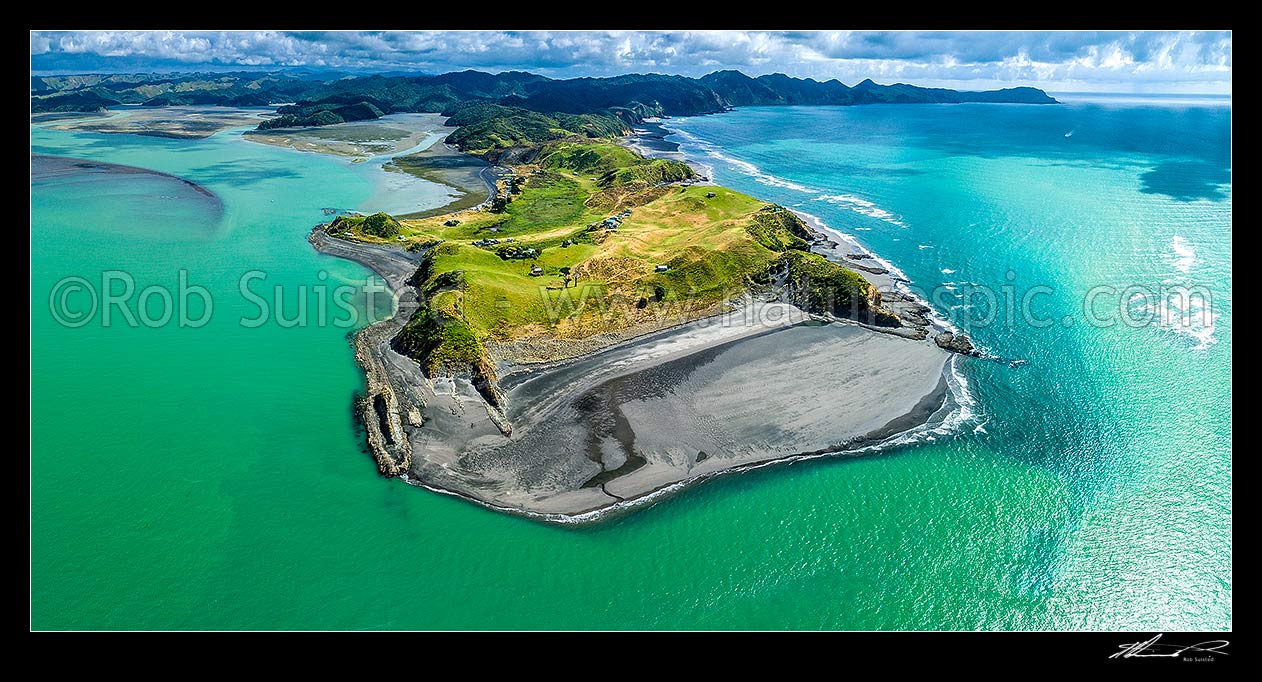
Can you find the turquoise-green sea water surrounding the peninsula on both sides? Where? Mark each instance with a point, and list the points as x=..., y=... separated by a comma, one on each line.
x=214, y=478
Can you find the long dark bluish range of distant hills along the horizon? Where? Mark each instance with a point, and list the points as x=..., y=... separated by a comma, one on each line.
x=634, y=95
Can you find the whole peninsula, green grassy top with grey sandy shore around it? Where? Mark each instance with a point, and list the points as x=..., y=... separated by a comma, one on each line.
x=609, y=328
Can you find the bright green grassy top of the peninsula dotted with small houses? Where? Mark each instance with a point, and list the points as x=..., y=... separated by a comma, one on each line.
x=582, y=278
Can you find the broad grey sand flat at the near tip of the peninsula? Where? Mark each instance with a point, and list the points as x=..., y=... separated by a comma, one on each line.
x=757, y=386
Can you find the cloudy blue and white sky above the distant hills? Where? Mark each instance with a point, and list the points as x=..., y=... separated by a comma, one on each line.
x=1134, y=63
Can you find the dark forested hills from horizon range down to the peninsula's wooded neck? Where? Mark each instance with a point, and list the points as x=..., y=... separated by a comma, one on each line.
x=493, y=111
